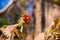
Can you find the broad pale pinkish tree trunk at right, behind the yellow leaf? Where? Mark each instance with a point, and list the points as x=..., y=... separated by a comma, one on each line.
x=51, y=12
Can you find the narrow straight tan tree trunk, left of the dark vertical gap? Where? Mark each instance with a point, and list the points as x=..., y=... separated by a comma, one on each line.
x=37, y=13
